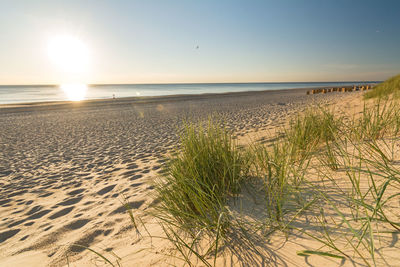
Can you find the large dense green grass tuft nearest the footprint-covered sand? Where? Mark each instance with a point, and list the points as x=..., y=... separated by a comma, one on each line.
x=208, y=169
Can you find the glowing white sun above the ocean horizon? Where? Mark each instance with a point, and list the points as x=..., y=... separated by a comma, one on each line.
x=68, y=53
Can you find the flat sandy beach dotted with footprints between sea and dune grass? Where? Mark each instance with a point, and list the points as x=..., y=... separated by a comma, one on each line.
x=65, y=168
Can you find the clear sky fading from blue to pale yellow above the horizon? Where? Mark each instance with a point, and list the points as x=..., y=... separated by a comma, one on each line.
x=200, y=41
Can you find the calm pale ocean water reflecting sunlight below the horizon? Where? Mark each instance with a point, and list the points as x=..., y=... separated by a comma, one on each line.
x=40, y=93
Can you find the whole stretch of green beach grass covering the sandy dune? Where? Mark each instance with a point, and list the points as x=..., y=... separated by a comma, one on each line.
x=345, y=164
